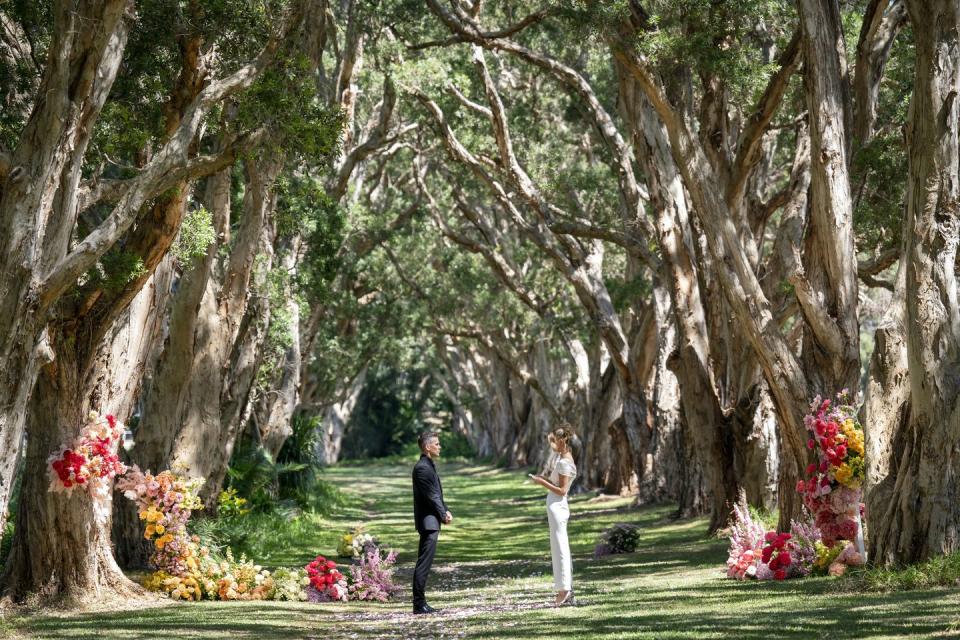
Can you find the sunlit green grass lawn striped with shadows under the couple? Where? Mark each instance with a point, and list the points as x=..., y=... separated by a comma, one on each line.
x=491, y=579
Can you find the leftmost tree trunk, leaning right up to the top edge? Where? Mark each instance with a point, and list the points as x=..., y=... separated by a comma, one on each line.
x=80, y=69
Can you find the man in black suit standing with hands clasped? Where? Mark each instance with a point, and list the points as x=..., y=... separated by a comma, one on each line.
x=429, y=510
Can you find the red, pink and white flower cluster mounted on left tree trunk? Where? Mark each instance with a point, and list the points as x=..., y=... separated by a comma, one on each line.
x=90, y=463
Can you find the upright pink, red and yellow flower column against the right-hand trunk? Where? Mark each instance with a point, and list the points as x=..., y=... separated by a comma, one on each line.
x=833, y=488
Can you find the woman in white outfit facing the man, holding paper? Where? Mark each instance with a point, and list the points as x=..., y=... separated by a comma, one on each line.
x=560, y=471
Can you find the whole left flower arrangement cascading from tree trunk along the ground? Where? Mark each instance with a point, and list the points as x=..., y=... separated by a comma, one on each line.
x=186, y=570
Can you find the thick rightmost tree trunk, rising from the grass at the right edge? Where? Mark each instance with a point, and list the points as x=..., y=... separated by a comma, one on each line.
x=923, y=515
